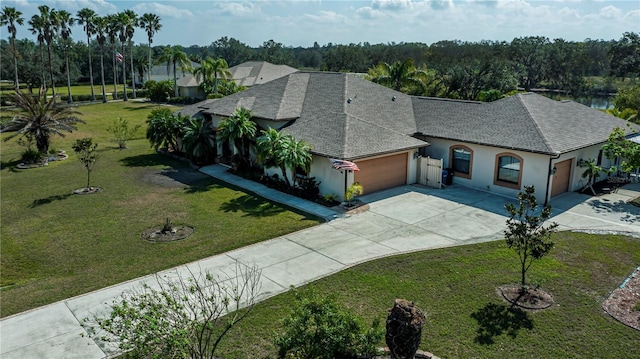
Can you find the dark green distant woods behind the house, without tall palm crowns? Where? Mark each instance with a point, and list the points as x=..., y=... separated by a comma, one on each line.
x=456, y=69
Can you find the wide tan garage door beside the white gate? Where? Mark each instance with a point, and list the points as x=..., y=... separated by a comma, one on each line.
x=381, y=173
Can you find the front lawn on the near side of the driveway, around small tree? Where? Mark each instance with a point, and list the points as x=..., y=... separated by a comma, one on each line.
x=456, y=289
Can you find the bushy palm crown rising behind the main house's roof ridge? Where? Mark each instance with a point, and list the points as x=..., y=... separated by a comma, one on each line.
x=399, y=75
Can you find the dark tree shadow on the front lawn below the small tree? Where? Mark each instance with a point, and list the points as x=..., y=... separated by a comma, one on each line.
x=496, y=319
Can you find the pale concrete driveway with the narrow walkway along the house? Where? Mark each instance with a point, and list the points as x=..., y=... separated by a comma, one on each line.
x=399, y=220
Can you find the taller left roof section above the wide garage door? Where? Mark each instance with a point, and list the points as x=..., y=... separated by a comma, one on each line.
x=339, y=114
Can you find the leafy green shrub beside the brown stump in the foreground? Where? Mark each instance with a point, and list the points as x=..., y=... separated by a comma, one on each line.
x=320, y=328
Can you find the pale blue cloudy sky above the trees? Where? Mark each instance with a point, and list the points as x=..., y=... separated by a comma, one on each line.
x=300, y=23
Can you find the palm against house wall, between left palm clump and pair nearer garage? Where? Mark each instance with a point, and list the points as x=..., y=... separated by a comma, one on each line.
x=238, y=129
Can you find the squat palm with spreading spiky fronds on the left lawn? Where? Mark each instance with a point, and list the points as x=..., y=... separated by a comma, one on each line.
x=38, y=118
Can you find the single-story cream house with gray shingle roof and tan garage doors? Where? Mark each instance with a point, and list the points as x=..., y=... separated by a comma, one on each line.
x=501, y=146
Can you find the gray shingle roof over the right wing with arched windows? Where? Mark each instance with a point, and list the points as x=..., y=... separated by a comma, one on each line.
x=527, y=122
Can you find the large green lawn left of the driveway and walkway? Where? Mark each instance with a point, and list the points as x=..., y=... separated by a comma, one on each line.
x=56, y=245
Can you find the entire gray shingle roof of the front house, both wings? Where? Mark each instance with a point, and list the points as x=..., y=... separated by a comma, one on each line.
x=347, y=117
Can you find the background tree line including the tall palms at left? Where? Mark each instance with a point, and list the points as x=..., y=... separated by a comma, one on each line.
x=455, y=69
